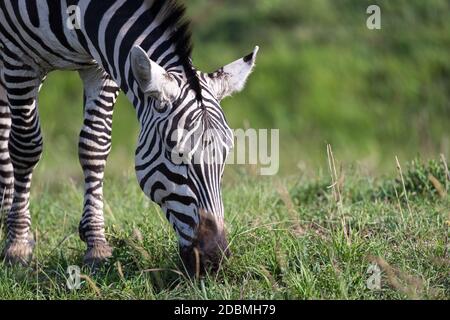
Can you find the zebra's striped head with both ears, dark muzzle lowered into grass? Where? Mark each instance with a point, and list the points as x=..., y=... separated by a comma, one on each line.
x=183, y=145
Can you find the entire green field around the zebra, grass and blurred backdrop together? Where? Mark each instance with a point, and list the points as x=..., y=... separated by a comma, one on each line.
x=322, y=78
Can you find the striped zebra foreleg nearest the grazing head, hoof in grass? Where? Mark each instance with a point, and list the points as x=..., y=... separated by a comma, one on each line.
x=100, y=94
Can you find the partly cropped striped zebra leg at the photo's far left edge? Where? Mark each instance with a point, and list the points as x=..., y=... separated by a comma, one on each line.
x=6, y=169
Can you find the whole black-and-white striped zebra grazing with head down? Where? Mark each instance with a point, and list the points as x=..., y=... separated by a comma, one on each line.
x=142, y=48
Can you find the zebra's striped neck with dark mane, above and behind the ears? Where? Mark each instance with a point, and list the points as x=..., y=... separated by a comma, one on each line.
x=115, y=26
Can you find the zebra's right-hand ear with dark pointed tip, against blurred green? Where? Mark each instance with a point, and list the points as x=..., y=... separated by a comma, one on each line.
x=232, y=78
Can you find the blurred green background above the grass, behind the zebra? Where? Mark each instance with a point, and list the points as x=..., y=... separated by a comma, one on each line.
x=322, y=77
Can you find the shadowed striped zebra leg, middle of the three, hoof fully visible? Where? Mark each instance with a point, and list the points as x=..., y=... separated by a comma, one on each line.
x=25, y=148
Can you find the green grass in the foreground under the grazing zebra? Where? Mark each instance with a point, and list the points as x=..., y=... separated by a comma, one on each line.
x=289, y=238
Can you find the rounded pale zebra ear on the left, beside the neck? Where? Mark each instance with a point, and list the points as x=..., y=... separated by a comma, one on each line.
x=151, y=77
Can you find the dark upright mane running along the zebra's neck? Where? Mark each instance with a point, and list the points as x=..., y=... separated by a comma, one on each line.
x=173, y=15
